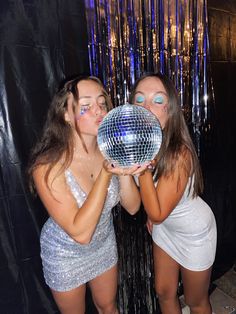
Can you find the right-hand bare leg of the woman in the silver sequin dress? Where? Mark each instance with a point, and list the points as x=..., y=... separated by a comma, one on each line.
x=104, y=289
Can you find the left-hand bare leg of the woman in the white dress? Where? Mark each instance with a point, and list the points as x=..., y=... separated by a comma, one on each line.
x=166, y=281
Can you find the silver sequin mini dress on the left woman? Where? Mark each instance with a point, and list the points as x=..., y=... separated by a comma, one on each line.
x=68, y=264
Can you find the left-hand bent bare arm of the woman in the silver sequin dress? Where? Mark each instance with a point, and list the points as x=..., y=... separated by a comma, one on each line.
x=79, y=223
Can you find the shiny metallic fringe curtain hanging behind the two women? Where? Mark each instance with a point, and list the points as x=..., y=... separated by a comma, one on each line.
x=127, y=38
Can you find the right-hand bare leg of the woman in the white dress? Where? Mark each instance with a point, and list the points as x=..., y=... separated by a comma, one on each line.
x=196, y=285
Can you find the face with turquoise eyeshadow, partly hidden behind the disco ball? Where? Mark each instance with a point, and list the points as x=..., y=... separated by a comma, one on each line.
x=151, y=94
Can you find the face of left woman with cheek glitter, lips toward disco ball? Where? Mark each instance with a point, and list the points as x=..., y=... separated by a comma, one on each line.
x=90, y=109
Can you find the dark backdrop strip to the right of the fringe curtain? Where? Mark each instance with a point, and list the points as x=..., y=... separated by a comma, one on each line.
x=219, y=165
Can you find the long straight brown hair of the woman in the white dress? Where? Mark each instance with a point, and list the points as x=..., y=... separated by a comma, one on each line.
x=176, y=136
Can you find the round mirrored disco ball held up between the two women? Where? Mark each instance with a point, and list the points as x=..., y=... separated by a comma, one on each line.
x=128, y=135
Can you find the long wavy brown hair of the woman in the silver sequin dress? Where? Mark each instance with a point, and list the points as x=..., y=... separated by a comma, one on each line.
x=57, y=135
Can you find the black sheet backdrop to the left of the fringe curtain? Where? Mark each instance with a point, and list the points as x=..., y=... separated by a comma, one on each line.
x=41, y=42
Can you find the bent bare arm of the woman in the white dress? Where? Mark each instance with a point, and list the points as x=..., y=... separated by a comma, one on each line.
x=159, y=201
